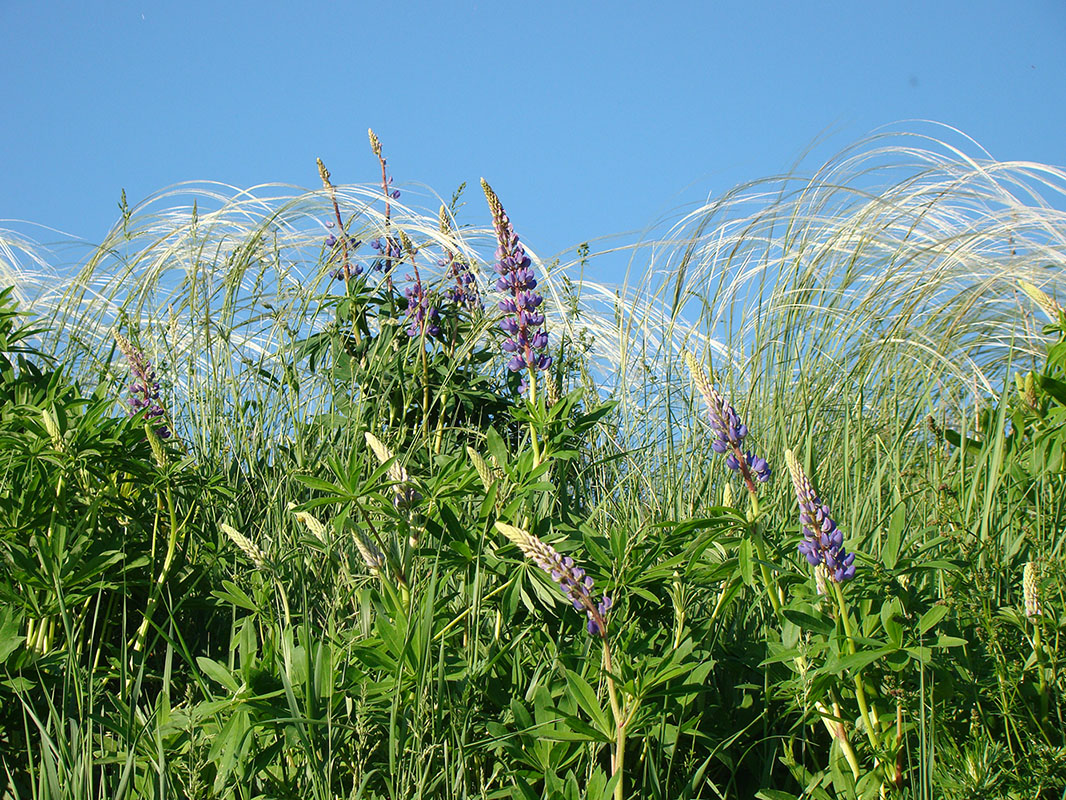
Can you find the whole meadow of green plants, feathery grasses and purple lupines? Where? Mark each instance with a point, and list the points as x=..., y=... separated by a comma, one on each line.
x=300, y=497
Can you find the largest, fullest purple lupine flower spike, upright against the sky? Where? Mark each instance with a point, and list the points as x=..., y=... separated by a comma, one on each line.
x=526, y=342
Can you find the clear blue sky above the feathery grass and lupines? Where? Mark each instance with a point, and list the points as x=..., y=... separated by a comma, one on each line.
x=588, y=118
